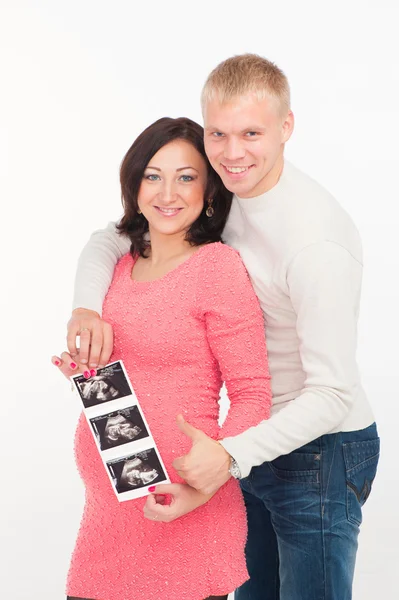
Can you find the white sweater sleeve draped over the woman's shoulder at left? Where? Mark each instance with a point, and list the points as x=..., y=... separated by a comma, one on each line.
x=96, y=266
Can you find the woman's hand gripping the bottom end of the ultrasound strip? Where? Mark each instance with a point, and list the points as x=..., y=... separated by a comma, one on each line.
x=171, y=501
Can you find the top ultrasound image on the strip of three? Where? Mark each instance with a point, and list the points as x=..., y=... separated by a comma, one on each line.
x=110, y=383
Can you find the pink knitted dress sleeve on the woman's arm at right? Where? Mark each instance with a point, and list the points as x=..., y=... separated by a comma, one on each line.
x=236, y=335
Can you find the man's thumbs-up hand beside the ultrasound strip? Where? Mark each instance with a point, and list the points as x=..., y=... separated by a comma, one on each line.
x=206, y=466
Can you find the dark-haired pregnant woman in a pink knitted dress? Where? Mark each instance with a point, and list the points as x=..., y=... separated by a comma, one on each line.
x=185, y=319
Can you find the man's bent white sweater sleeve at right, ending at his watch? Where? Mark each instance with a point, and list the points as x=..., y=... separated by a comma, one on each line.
x=324, y=282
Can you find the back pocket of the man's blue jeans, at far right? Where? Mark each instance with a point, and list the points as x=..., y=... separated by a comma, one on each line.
x=361, y=460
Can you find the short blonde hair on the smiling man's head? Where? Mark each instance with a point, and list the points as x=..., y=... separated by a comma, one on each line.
x=244, y=74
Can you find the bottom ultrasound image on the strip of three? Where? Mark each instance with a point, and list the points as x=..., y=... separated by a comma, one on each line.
x=131, y=473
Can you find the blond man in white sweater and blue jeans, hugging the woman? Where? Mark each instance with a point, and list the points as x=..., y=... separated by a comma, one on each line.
x=314, y=460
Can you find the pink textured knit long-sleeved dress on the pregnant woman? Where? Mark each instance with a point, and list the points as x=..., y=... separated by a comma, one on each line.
x=180, y=337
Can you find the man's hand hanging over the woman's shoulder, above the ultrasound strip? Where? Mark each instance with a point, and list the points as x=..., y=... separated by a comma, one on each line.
x=96, y=338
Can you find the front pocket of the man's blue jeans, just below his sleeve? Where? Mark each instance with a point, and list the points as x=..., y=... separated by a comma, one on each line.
x=297, y=467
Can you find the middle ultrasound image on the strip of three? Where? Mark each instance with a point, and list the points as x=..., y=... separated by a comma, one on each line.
x=119, y=427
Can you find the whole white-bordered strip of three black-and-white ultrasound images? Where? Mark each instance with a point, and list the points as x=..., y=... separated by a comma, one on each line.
x=121, y=432
